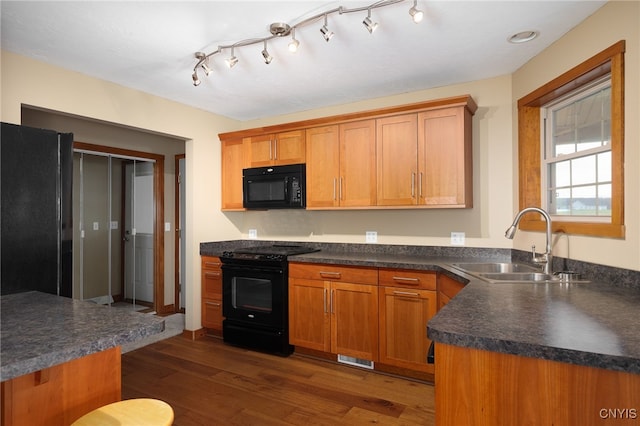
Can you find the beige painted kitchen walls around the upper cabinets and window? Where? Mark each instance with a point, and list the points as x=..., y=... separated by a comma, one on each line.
x=494, y=153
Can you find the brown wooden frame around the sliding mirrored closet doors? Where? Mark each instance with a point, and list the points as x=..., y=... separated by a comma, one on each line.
x=158, y=217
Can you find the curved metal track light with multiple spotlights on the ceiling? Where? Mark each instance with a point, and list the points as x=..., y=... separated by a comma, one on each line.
x=280, y=29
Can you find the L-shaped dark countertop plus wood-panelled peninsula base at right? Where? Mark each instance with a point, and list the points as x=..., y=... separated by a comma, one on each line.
x=547, y=353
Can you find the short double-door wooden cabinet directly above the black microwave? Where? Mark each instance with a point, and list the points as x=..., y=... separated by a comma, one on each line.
x=277, y=149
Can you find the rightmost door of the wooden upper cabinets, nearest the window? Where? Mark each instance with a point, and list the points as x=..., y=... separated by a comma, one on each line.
x=444, y=158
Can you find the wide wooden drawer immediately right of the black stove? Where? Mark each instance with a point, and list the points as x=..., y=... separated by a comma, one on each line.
x=326, y=272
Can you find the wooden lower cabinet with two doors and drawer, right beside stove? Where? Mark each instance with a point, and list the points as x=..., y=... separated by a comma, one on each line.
x=334, y=309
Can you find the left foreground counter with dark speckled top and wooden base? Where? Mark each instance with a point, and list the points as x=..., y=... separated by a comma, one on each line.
x=60, y=358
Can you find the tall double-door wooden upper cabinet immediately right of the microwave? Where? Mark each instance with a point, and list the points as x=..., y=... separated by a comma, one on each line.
x=341, y=168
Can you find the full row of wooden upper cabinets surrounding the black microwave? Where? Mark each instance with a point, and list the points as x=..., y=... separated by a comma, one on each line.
x=409, y=156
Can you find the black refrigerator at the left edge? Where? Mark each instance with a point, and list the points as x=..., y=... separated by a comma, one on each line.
x=37, y=212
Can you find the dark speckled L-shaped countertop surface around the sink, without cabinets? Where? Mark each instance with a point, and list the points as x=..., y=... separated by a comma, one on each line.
x=592, y=324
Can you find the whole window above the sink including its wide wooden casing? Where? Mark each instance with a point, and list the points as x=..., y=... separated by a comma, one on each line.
x=580, y=177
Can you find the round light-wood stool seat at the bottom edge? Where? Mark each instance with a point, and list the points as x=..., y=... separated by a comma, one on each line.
x=138, y=412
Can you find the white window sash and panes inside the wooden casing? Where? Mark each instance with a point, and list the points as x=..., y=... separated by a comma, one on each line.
x=576, y=167
